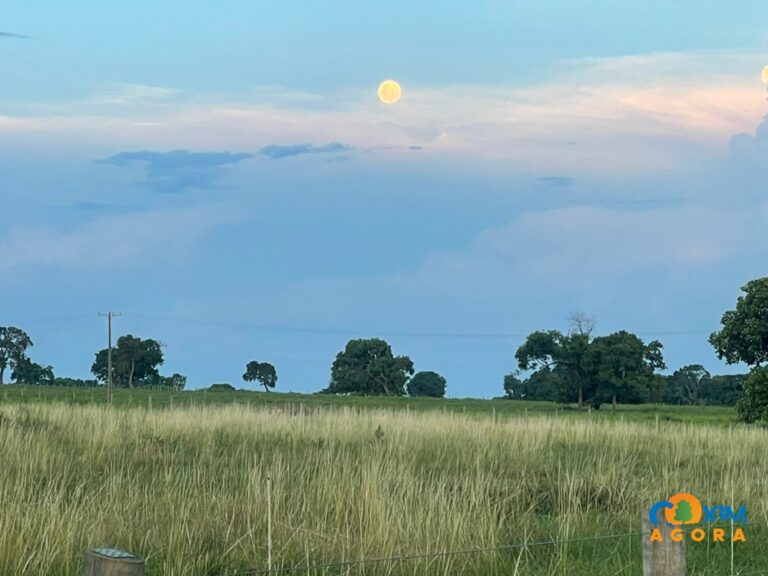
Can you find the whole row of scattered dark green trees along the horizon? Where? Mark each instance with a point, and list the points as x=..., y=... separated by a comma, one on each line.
x=572, y=367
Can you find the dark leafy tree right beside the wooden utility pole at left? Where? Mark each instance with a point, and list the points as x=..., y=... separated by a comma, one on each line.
x=134, y=360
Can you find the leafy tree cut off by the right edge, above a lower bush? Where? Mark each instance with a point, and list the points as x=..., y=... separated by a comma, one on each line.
x=744, y=335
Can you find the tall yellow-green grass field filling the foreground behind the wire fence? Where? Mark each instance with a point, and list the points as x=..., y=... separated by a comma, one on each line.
x=185, y=486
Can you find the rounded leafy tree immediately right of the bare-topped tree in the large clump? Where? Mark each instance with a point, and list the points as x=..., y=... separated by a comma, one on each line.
x=624, y=366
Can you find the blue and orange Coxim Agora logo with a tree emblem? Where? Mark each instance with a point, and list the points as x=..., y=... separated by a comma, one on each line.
x=684, y=509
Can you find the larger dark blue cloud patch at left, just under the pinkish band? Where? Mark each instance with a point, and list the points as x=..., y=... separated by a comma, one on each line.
x=178, y=170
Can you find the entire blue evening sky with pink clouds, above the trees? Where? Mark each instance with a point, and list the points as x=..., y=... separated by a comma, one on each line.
x=225, y=176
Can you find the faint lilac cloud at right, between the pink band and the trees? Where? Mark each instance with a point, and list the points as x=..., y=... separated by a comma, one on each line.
x=565, y=249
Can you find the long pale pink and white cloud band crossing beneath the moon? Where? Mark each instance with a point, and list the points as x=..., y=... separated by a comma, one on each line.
x=653, y=113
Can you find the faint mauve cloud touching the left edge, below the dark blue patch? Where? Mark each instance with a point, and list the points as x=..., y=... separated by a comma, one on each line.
x=112, y=241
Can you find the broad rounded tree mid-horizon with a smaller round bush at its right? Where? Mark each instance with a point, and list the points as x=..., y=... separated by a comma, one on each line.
x=369, y=367
